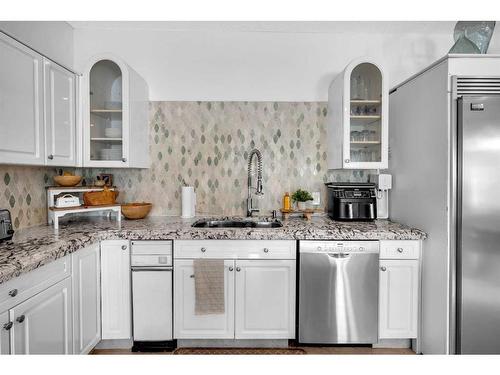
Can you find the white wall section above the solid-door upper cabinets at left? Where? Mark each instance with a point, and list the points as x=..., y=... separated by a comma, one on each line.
x=53, y=39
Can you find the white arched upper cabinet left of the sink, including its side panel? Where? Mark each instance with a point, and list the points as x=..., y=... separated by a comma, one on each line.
x=115, y=123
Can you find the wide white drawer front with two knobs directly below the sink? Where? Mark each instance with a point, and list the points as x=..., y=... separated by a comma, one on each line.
x=235, y=249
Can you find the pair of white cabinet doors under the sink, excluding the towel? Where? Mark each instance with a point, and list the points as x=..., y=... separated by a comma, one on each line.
x=259, y=300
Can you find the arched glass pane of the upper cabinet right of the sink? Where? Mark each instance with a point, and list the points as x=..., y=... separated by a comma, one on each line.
x=365, y=125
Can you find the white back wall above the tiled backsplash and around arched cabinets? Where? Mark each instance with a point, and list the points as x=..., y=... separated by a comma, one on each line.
x=259, y=61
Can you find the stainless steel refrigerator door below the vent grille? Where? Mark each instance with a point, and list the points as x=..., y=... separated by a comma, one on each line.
x=478, y=255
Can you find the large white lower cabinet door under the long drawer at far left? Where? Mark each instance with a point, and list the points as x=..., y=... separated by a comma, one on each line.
x=43, y=323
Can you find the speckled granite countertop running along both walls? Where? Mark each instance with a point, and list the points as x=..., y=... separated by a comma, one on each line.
x=37, y=246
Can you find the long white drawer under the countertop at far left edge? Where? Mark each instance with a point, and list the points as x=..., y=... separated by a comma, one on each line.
x=23, y=287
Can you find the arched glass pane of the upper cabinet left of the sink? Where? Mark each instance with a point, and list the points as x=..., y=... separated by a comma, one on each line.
x=106, y=111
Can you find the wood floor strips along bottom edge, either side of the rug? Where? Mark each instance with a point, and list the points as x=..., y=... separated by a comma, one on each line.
x=308, y=349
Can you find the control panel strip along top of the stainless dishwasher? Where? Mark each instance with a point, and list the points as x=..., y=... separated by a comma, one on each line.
x=339, y=246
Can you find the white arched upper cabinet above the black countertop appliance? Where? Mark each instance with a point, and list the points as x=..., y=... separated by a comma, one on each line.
x=357, y=117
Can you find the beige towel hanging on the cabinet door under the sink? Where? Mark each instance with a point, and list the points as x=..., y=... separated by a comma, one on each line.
x=209, y=286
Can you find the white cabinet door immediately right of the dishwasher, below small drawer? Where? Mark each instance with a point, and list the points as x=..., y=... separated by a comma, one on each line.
x=398, y=299
